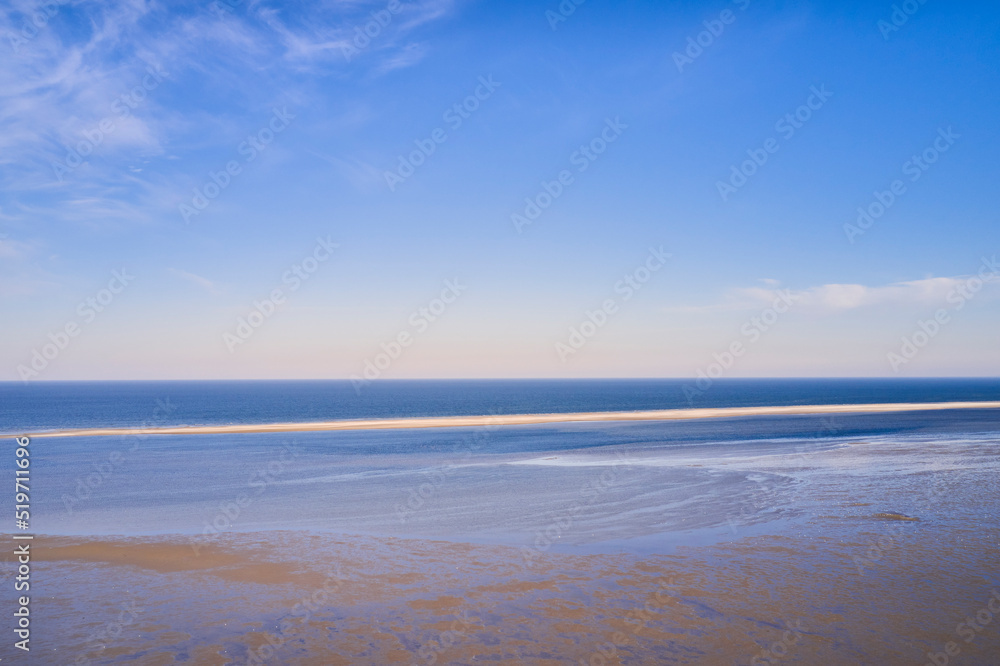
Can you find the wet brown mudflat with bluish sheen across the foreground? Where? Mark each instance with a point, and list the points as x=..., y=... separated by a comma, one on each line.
x=298, y=598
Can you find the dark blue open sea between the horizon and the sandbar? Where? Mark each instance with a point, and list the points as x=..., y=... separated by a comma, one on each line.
x=53, y=405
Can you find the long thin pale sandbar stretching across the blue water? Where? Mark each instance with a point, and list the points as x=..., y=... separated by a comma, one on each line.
x=414, y=422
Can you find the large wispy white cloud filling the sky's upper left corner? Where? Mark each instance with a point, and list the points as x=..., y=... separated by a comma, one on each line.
x=85, y=70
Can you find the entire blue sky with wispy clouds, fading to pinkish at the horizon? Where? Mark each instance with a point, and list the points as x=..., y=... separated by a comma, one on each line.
x=518, y=189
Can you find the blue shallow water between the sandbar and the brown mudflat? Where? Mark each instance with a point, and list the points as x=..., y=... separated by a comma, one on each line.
x=579, y=483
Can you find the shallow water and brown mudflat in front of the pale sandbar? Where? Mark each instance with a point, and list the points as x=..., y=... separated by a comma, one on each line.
x=734, y=541
